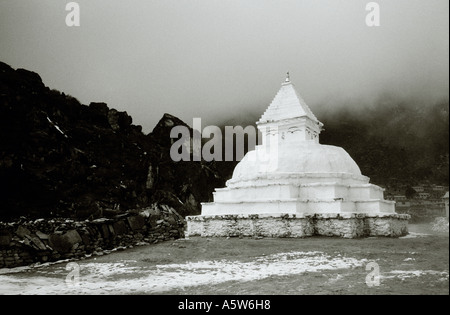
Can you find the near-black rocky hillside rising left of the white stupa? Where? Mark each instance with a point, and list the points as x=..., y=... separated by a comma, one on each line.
x=59, y=158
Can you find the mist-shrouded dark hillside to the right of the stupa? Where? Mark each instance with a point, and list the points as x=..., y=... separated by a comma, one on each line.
x=394, y=141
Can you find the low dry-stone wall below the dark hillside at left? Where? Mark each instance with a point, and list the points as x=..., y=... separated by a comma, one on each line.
x=26, y=242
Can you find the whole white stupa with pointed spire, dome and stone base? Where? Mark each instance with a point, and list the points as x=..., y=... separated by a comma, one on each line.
x=293, y=186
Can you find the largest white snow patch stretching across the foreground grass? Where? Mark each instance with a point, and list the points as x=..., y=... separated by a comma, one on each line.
x=127, y=276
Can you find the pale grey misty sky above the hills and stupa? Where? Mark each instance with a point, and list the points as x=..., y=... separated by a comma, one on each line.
x=225, y=59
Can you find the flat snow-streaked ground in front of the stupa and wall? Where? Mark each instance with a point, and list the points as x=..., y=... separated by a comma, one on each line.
x=229, y=266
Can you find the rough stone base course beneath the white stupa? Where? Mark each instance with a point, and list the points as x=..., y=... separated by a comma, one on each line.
x=347, y=225
